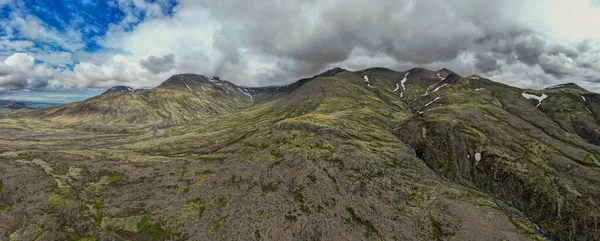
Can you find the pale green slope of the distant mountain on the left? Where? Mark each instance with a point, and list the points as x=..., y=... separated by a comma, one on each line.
x=166, y=105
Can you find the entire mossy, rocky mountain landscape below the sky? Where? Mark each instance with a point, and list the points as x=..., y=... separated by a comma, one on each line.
x=374, y=154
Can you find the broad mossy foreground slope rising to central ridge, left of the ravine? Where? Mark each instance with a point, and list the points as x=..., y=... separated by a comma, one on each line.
x=319, y=163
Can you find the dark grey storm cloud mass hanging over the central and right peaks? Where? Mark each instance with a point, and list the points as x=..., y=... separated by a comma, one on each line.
x=306, y=36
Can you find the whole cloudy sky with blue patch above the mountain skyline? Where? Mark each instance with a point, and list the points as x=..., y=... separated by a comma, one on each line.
x=89, y=43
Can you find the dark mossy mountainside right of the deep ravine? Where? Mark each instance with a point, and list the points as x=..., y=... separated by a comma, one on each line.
x=527, y=158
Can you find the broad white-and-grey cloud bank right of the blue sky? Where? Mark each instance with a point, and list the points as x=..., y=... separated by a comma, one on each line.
x=257, y=42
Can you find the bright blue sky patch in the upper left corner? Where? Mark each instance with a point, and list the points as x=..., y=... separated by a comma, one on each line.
x=89, y=18
